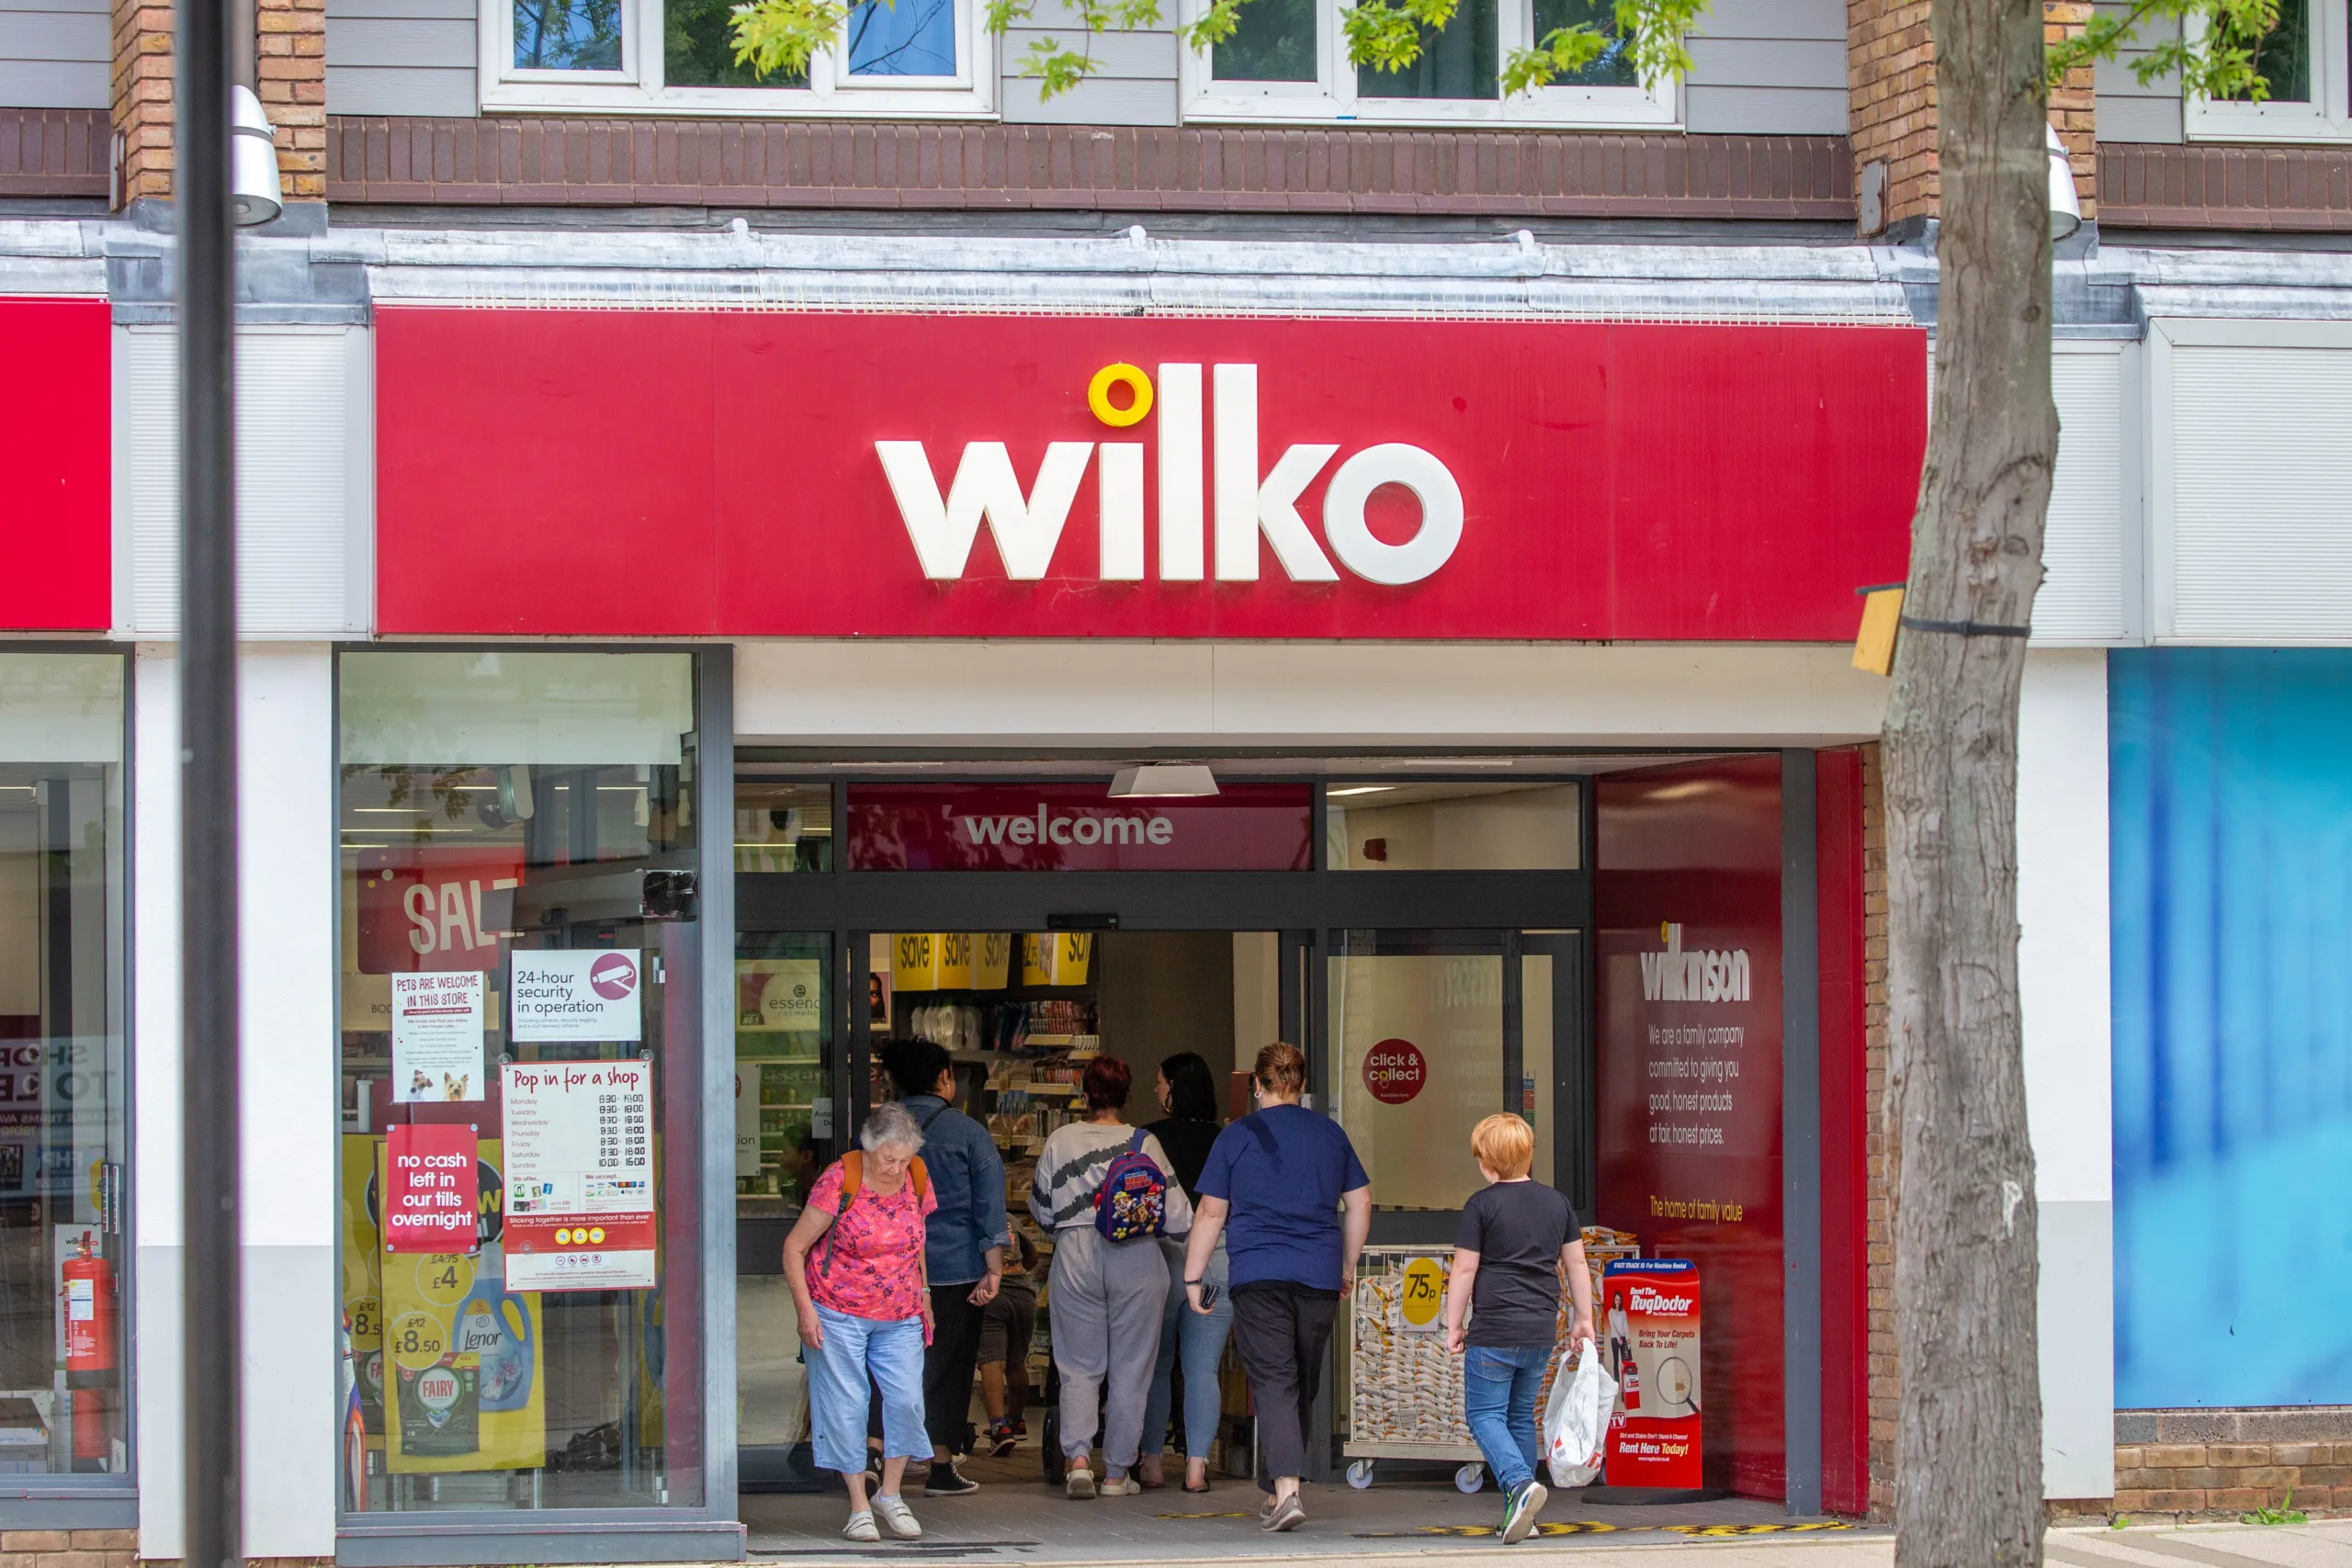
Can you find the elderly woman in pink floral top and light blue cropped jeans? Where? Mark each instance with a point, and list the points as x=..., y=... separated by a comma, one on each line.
x=855, y=1264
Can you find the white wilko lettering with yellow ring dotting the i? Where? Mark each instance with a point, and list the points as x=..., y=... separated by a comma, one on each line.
x=1248, y=504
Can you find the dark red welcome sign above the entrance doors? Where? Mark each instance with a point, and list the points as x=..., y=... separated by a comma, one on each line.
x=1076, y=829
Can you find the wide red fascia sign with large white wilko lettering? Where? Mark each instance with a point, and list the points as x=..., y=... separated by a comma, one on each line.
x=968, y=476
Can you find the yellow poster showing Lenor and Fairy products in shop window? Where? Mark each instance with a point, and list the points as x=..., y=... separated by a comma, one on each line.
x=465, y=1374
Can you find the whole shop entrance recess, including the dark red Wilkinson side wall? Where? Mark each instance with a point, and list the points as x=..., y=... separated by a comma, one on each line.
x=1434, y=946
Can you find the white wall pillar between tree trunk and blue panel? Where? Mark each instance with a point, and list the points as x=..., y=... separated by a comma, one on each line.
x=2066, y=1003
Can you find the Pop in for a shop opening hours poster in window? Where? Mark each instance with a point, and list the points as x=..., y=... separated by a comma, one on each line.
x=580, y=1177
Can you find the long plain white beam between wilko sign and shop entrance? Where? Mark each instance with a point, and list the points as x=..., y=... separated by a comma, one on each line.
x=1309, y=695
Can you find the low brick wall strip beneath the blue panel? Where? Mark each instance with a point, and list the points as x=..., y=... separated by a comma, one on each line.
x=2231, y=1461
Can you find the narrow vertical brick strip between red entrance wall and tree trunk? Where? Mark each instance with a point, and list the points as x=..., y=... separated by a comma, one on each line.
x=1880, y=1266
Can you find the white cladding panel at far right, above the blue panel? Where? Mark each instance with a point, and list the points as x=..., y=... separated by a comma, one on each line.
x=2252, y=469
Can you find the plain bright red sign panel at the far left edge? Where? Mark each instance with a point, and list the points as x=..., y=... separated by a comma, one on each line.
x=55, y=467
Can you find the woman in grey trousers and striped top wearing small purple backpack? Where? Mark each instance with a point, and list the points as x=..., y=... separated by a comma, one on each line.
x=1107, y=1296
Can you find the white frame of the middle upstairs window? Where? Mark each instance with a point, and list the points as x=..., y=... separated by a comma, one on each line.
x=1332, y=95
